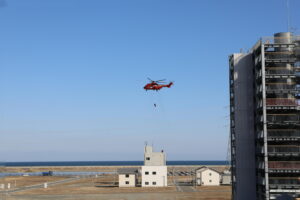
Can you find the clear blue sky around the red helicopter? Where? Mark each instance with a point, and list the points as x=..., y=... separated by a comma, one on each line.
x=72, y=72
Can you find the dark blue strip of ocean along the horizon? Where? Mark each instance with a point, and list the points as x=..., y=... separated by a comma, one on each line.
x=107, y=163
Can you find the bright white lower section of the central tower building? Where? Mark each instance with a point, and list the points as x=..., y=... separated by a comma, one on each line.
x=157, y=174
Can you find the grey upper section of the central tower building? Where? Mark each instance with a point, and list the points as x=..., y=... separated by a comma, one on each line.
x=154, y=158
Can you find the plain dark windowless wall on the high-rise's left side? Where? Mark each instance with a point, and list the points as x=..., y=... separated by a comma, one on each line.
x=245, y=187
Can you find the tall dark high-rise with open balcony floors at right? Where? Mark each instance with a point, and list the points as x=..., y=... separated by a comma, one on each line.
x=265, y=119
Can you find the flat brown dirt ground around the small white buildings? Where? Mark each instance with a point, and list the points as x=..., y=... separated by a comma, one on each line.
x=105, y=187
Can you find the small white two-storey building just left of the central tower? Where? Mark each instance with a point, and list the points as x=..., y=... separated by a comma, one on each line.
x=127, y=177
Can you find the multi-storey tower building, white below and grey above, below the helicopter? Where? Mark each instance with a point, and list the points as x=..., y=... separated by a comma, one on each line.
x=154, y=171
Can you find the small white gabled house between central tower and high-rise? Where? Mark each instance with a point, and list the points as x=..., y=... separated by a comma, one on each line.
x=208, y=177
